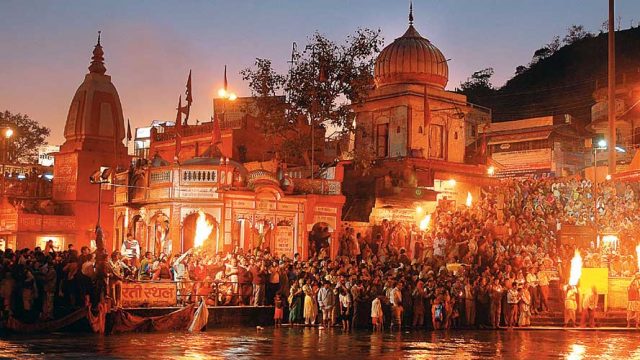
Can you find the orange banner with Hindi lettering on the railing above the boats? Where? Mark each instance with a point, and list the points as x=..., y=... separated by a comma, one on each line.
x=149, y=294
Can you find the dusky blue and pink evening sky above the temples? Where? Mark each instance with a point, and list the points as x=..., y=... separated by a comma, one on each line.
x=150, y=46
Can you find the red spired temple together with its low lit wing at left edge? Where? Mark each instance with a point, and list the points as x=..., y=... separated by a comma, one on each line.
x=67, y=213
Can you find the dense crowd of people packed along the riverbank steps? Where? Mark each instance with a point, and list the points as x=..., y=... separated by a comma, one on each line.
x=485, y=266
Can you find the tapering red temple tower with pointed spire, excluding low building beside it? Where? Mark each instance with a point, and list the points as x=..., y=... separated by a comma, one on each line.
x=93, y=133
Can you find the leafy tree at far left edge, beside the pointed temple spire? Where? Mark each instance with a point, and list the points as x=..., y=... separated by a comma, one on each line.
x=28, y=136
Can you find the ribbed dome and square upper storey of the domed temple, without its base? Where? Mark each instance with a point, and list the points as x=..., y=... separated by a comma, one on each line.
x=409, y=113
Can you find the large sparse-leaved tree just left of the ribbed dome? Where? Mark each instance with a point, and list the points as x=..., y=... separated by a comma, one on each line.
x=322, y=84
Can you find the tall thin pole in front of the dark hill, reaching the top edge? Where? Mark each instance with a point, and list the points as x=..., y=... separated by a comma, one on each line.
x=612, y=91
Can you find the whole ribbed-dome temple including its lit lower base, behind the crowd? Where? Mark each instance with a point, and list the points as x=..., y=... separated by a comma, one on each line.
x=416, y=134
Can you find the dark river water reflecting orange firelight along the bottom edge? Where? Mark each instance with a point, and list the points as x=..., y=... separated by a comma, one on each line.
x=298, y=343
